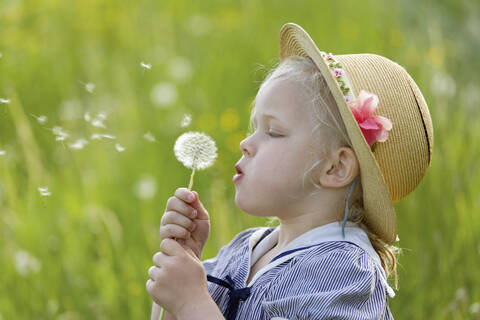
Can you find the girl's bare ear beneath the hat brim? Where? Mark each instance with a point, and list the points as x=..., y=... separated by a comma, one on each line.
x=340, y=168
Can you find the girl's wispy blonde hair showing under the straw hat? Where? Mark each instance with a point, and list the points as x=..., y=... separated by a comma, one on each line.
x=327, y=122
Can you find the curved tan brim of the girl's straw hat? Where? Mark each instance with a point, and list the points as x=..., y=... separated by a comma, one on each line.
x=379, y=211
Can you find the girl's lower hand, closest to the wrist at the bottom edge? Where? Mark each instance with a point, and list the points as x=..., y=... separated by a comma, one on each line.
x=177, y=280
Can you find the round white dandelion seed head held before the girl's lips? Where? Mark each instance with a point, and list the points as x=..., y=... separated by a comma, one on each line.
x=195, y=150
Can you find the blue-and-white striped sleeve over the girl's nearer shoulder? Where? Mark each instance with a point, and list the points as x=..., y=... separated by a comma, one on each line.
x=332, y=279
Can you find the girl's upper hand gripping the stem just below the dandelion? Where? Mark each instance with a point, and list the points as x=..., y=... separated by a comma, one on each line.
x=181, y=221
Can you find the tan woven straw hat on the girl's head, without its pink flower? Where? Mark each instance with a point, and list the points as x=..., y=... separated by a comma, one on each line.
x=395, y=167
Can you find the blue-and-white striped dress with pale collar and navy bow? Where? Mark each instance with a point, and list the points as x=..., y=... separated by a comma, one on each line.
x=319, y=275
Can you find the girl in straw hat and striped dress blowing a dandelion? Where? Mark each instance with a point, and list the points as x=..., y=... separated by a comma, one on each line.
x=336, y=141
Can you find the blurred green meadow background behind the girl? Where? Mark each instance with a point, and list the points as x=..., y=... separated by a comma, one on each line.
x=143, y=72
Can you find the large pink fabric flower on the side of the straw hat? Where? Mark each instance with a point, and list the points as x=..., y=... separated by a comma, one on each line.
x=374, y=128
